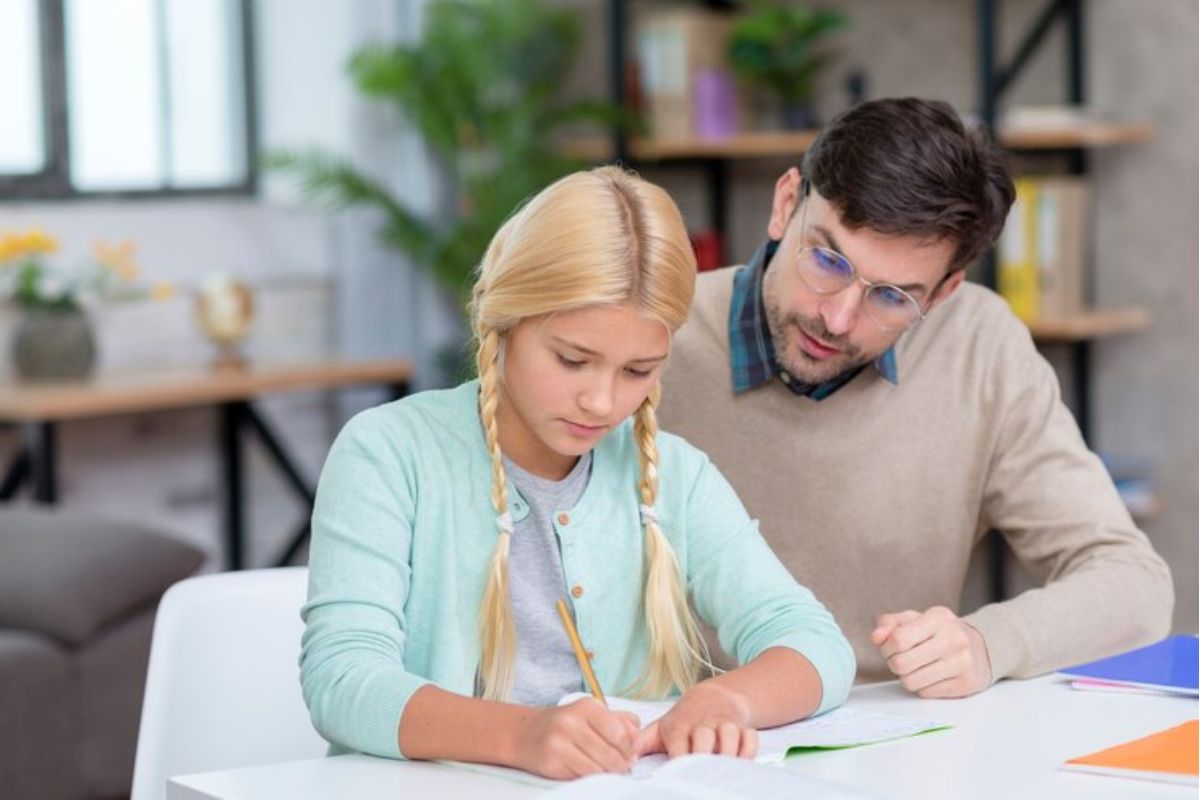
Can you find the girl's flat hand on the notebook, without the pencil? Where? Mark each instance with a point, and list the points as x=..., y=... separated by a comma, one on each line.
x=709, y=719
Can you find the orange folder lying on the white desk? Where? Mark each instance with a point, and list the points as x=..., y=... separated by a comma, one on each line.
x=1169, y=756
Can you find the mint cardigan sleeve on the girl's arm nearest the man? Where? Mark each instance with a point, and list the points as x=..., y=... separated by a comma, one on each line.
x=741, y=588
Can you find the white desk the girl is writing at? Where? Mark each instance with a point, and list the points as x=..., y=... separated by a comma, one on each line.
x=1007, y=743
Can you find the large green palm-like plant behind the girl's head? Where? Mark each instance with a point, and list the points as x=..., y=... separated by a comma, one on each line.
x=483, y=87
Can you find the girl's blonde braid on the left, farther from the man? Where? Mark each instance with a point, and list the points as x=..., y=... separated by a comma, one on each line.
x=496, y=628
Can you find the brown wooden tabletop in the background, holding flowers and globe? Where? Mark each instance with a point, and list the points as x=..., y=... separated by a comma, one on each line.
x=109, y=395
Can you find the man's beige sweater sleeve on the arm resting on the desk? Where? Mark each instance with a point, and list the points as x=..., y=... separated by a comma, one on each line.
x=1103, y=590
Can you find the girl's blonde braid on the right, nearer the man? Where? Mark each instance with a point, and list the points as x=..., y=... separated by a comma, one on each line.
x=676, y=647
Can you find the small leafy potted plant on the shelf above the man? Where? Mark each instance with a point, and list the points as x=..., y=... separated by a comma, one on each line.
x=784, y=49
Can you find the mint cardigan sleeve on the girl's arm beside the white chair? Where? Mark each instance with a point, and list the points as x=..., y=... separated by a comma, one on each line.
x=352, y=667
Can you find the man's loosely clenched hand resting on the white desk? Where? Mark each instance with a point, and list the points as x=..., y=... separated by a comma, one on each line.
x=934, y=654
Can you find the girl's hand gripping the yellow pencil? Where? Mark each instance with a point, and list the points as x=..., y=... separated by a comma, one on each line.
x=571, y=742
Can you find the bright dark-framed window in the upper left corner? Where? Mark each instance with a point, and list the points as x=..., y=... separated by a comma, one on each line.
x=125, y=97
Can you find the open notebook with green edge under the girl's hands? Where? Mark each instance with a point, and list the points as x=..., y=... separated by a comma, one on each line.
x=843, y=727
